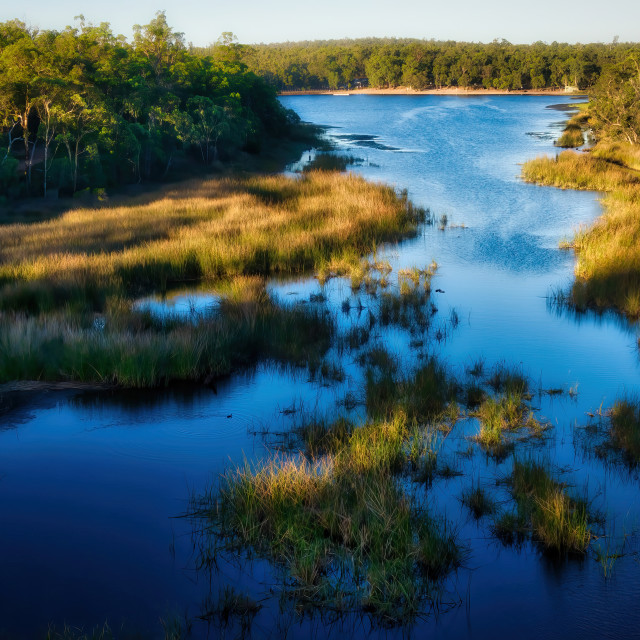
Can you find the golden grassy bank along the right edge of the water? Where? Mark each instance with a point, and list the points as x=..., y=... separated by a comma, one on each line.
x=608, y=253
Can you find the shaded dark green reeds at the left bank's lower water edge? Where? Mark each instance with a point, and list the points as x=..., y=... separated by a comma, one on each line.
x=133, y=350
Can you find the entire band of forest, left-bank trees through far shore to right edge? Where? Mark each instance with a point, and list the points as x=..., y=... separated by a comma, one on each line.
x=83, y=109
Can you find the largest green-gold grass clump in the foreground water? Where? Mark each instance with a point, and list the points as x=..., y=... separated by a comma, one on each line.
x=342, y=527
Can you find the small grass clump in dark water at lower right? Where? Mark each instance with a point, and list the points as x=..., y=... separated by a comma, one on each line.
x=560, y=522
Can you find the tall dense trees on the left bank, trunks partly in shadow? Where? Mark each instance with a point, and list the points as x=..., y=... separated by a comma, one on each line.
x=82, y=108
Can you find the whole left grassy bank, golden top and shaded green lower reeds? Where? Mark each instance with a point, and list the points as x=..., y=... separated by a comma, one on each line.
x=68, y=282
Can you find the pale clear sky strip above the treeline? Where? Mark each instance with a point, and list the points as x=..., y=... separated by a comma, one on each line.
x=253, y=21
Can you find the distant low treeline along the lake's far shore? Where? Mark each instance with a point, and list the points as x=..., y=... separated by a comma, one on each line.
x=422, y=64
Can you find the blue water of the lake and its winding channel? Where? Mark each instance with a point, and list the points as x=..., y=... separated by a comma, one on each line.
x=92, y=484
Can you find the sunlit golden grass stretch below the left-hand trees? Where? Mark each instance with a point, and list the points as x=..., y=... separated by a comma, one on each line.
x=209, y=229
